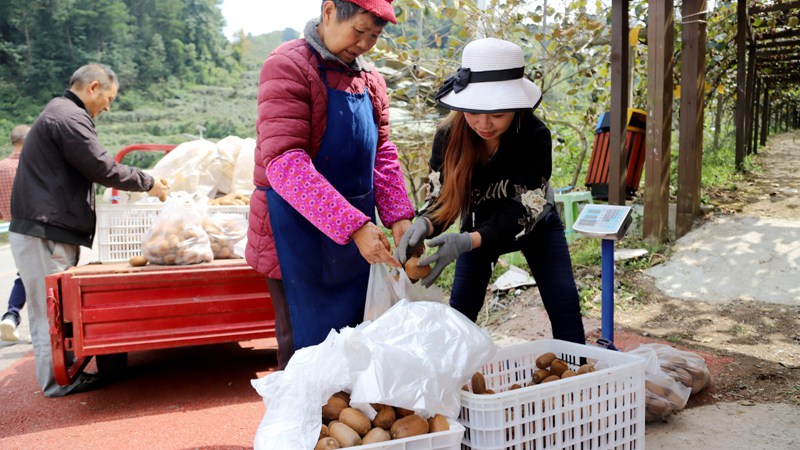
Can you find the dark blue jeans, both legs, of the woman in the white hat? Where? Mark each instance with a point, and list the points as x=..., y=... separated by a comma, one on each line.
x=547, y=253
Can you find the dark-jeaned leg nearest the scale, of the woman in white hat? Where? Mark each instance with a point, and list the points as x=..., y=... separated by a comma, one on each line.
x=547, y=254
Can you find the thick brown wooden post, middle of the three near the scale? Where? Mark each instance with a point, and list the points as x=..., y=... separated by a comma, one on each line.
x=660, y=45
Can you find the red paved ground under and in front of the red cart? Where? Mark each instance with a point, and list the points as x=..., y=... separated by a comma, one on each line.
x=187, y=398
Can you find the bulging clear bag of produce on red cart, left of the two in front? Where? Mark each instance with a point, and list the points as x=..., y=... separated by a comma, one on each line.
x=177, y=236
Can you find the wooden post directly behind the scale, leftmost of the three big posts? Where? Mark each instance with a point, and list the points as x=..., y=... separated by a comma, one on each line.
x=618, y=157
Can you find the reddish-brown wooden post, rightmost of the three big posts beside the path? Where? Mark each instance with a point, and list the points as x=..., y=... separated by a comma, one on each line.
x=693, y=80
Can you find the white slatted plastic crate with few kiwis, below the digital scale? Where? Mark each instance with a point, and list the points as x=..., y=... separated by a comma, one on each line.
x=598, y=410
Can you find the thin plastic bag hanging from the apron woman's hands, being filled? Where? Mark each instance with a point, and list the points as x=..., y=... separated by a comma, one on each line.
x=387, y=286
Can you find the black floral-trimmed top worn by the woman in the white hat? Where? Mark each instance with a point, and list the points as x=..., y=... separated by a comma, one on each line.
x=522, y=162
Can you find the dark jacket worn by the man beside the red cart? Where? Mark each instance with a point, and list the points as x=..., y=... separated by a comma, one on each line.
x=53, y=195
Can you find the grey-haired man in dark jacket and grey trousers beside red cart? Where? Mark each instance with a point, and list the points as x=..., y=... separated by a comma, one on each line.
x=52, y=202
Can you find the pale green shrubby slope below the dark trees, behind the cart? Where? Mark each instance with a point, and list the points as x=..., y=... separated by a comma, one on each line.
x=171, y=112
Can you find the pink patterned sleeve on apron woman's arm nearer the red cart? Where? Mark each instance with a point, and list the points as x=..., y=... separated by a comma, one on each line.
x=294, y=178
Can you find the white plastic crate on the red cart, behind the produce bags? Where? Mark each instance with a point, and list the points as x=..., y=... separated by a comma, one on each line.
x=120, y=228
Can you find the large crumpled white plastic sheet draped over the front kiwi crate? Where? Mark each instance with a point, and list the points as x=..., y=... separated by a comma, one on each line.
x=416, y=356
